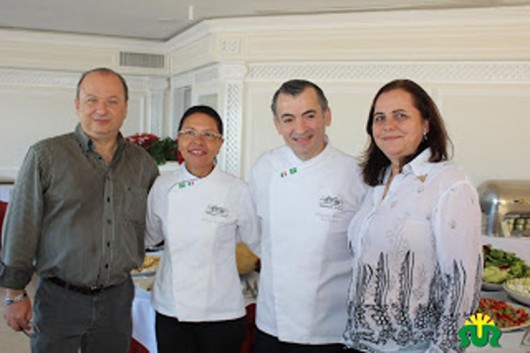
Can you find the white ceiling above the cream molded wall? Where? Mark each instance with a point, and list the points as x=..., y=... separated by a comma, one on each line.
x=160, y=20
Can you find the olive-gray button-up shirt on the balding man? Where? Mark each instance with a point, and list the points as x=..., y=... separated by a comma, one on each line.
x=74, y=217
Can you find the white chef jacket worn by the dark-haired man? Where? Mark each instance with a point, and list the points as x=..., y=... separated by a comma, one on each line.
x=305, y=208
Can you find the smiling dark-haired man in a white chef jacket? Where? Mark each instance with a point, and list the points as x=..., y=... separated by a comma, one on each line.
x=306, y=193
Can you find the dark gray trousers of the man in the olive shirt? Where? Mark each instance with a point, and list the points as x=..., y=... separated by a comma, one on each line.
x=69, y=322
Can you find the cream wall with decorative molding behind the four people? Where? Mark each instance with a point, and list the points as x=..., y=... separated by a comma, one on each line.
x=474, y=62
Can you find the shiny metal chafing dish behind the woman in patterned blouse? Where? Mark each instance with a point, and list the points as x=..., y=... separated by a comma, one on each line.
x=505, y=207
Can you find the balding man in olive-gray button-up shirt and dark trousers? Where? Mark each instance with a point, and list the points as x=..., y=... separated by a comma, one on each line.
x=77, y=219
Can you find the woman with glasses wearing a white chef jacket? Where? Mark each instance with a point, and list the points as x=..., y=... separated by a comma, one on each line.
x=200, y=212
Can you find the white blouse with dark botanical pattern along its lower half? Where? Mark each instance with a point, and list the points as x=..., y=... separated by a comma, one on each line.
x=417, y=260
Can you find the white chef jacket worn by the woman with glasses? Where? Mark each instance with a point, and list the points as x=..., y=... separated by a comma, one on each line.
x=200, y=220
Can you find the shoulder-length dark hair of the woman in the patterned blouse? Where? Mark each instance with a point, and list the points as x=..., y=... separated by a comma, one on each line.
x=375, y=162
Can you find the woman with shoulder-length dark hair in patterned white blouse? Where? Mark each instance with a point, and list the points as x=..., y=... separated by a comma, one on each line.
x=416, y=239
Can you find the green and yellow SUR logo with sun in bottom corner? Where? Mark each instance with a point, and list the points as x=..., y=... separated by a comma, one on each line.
x=479, y=330
